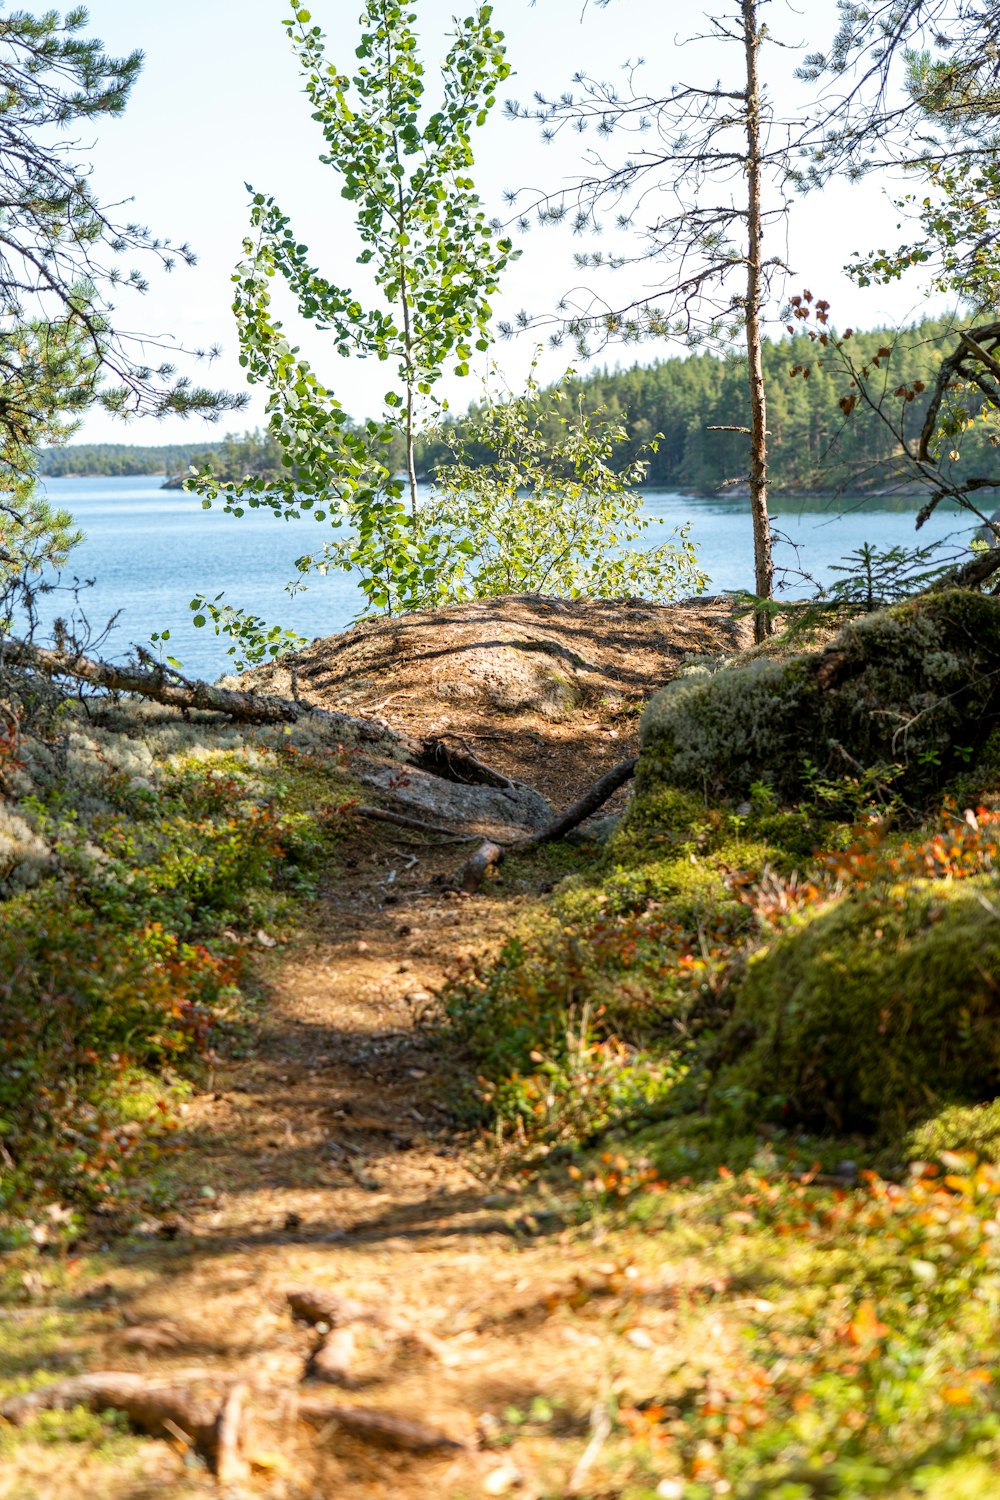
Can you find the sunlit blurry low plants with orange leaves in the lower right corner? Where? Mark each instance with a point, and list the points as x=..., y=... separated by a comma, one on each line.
x=836, y=1342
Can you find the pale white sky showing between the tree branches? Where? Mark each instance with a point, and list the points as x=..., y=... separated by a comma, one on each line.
x=220, y=106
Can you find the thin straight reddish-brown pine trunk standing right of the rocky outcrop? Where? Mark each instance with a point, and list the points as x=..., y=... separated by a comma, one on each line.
x=764, y=565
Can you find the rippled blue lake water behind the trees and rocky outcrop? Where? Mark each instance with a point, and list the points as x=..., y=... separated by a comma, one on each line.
x=151, y=551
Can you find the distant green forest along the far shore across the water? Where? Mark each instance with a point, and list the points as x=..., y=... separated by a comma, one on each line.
x=815, y=445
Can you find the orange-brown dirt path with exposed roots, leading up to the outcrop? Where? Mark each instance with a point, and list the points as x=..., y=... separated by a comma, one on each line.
x=329, y=1159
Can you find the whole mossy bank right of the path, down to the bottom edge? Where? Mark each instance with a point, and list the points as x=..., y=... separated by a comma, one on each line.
x=762, y=1031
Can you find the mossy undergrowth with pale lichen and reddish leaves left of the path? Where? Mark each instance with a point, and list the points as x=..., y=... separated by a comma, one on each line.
x=140, y=857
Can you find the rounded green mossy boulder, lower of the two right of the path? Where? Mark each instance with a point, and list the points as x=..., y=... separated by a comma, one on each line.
x=872, y=1015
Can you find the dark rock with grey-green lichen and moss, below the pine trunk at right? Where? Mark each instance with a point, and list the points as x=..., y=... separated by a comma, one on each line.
x=912, y=692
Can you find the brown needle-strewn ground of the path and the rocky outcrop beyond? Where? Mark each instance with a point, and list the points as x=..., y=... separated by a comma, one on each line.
x=328, y=1154
